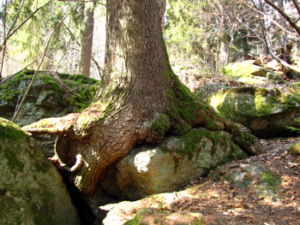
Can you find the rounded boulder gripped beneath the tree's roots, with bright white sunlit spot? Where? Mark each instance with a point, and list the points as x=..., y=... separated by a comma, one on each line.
x=170, y=166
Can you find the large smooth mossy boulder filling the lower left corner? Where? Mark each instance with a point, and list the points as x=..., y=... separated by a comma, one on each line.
x=31, y=189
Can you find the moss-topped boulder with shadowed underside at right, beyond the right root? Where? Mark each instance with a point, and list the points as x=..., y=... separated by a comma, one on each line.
x=266, y=112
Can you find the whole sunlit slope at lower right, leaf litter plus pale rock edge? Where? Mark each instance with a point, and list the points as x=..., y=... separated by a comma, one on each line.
x=214, y=200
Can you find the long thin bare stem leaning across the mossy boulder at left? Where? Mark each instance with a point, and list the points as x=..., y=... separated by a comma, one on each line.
x=42, y=59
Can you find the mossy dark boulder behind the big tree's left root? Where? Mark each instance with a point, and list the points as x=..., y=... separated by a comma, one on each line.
x=48, y=97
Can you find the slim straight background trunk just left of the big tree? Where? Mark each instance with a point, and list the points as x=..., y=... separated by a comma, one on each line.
x=87, y=42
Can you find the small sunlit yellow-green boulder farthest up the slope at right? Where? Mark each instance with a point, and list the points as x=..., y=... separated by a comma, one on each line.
x=247, y=72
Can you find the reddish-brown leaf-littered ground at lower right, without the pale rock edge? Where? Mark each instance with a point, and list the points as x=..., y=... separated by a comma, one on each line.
x=221, y=203
